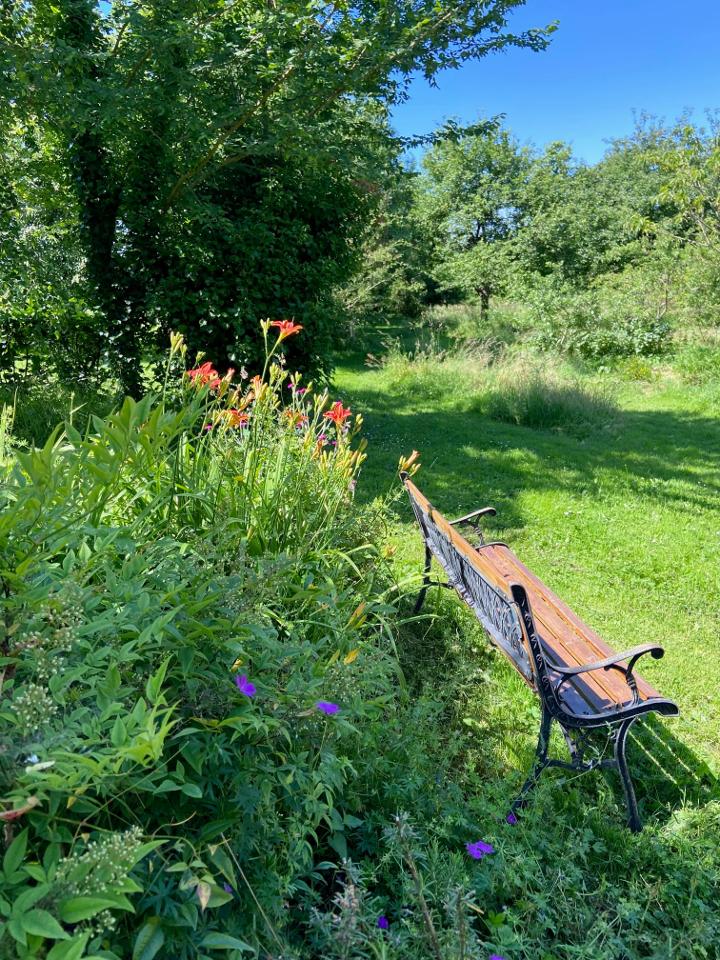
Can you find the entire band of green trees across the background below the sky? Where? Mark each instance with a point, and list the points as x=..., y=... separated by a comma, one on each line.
x=199, y=166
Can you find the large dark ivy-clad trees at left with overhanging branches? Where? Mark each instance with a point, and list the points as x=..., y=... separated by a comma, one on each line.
x=197, y=165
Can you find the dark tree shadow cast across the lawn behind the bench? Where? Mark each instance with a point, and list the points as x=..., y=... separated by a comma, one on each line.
x=470, y=460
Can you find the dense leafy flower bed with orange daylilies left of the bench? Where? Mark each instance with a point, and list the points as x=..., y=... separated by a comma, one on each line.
x=182, y=587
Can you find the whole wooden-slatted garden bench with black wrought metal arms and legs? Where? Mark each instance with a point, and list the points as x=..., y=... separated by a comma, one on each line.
x=580, y=681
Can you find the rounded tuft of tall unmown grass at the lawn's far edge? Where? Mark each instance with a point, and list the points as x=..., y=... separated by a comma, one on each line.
x=529, y=396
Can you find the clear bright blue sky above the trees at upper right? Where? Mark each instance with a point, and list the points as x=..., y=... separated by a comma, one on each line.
x=607, y=59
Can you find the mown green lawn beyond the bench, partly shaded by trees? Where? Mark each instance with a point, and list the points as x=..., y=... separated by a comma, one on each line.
x=624, y=525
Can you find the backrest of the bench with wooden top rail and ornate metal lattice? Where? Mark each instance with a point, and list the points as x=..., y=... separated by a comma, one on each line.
x=476, y=580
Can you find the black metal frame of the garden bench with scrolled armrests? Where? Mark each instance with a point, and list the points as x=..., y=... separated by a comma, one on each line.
x=547, y=678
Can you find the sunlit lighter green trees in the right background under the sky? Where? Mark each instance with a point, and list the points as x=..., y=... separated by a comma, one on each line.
x=597, y=261
